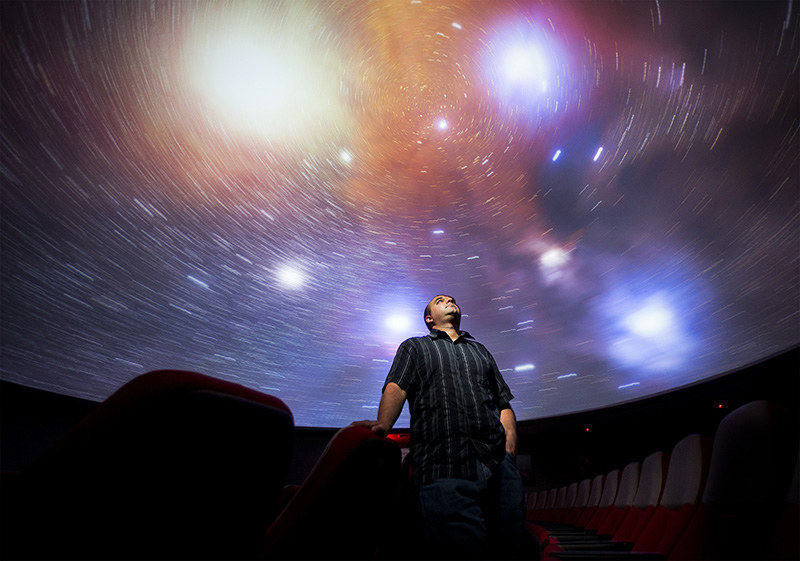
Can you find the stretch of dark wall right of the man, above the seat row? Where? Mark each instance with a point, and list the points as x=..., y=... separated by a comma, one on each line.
x=563, y=451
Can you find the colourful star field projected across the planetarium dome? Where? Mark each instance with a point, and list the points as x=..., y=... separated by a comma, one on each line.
x=271, y=192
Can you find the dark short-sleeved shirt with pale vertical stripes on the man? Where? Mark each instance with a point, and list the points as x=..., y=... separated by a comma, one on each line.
x=455, y=394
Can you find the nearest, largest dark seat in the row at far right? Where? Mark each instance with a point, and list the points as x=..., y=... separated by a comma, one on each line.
x=751, y=469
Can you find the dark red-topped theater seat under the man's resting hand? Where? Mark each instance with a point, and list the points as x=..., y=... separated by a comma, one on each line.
x=344, y=507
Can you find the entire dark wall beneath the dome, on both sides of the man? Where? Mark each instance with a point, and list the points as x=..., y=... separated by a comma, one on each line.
x=561, y=449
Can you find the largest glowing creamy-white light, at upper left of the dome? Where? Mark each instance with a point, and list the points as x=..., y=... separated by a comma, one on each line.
x=261, y=73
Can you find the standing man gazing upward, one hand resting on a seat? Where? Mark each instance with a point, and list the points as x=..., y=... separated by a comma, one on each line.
x=463, y=439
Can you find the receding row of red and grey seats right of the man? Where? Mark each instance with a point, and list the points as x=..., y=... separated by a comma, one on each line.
x=735, y=498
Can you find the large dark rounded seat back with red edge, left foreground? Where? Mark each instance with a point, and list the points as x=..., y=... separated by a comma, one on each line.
x=172, y=465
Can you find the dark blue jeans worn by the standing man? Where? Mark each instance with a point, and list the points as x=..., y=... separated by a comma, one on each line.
x=483, y=519
